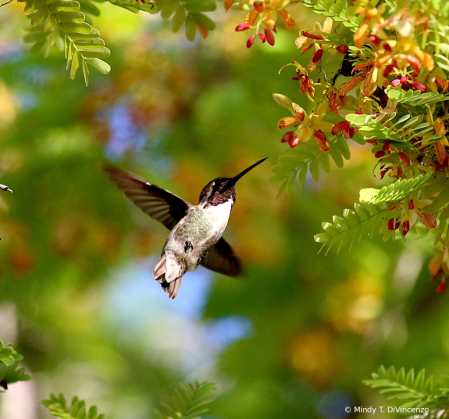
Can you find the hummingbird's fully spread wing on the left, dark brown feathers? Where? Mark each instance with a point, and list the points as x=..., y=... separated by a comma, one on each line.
x=158, y=203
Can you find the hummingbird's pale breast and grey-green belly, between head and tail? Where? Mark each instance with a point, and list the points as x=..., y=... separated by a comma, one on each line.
x=197, y=232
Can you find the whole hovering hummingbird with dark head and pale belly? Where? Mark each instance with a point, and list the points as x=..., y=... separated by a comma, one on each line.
x=195, y=230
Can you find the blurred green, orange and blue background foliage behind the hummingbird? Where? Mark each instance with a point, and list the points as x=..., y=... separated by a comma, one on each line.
x=294, y=338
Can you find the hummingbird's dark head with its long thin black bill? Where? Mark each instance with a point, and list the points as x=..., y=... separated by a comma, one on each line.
x=222, y=189
